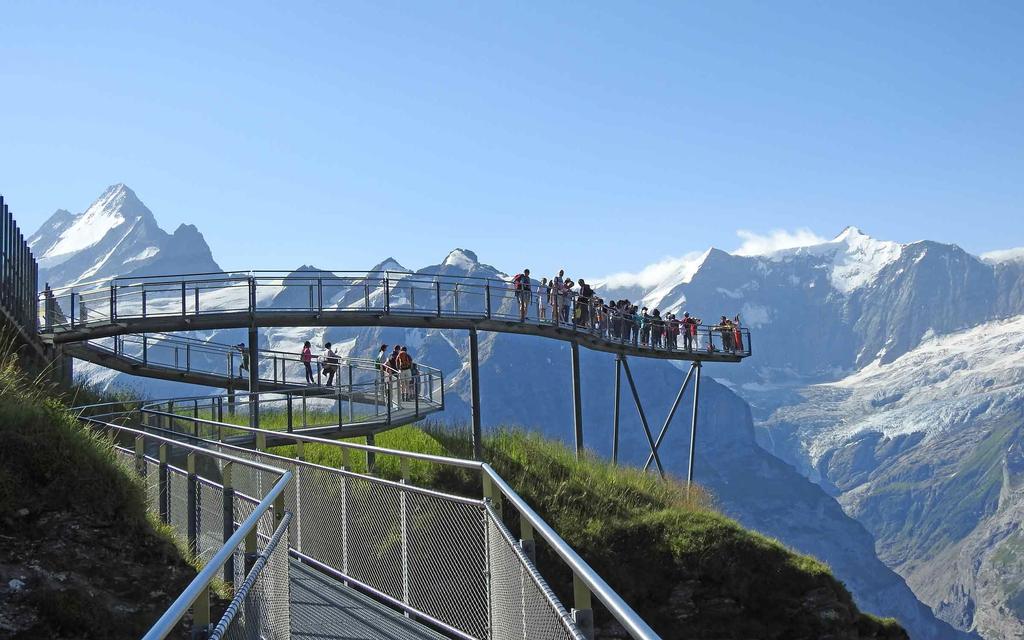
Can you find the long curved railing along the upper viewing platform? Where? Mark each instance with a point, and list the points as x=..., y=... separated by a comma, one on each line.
x=386, y=293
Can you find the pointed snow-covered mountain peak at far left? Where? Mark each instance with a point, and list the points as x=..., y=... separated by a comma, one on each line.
x=116, y=236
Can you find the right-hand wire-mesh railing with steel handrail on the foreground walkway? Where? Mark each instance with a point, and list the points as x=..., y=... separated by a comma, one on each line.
x=451, y=562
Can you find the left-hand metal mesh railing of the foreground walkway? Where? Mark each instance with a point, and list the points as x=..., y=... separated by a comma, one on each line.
x=240, y=538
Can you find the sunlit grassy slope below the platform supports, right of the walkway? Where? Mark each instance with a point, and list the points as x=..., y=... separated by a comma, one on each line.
x=691, y=572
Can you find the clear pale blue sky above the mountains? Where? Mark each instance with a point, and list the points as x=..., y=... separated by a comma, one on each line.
x=596, y=137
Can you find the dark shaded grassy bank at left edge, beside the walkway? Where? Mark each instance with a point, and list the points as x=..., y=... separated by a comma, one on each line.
x=73, y=528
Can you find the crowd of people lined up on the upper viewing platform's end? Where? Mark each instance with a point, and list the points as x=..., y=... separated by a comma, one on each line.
x=619, y=320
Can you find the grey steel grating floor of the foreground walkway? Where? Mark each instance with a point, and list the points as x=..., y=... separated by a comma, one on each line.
x=323, y=609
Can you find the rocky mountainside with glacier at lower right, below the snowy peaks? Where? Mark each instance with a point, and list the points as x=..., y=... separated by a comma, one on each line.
x=926, y=452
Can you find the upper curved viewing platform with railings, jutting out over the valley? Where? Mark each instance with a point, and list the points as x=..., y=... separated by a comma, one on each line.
x=208, y=302
